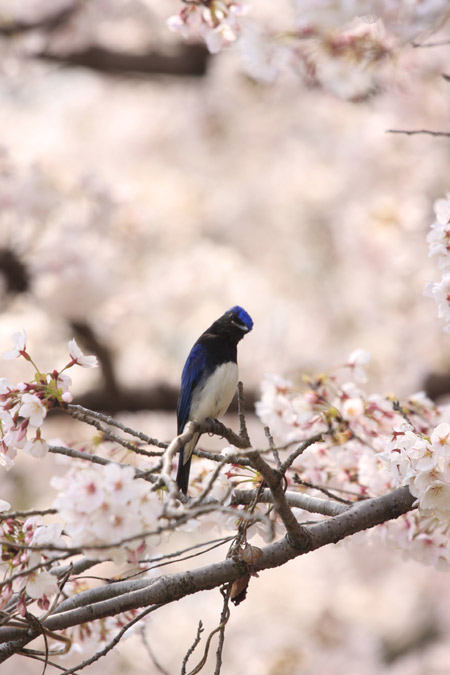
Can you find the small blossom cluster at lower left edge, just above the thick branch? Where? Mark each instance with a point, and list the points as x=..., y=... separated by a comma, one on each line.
x=28, y=571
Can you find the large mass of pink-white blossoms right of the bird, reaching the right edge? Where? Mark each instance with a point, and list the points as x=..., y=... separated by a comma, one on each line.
x=370, y=445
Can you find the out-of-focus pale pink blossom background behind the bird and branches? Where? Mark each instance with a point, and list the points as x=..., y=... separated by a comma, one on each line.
x=141, y=198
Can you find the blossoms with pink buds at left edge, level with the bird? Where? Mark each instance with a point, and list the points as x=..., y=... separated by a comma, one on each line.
x=23, y=407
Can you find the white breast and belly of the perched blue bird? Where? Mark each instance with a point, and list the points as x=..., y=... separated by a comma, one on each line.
x=213, y=399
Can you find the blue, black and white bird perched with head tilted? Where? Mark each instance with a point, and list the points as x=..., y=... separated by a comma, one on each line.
x=209, y=379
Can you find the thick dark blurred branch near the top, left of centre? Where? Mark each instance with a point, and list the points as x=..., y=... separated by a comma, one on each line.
x=186, y=59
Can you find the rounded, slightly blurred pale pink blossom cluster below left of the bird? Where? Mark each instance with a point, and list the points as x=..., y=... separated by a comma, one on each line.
x=108, y=509
